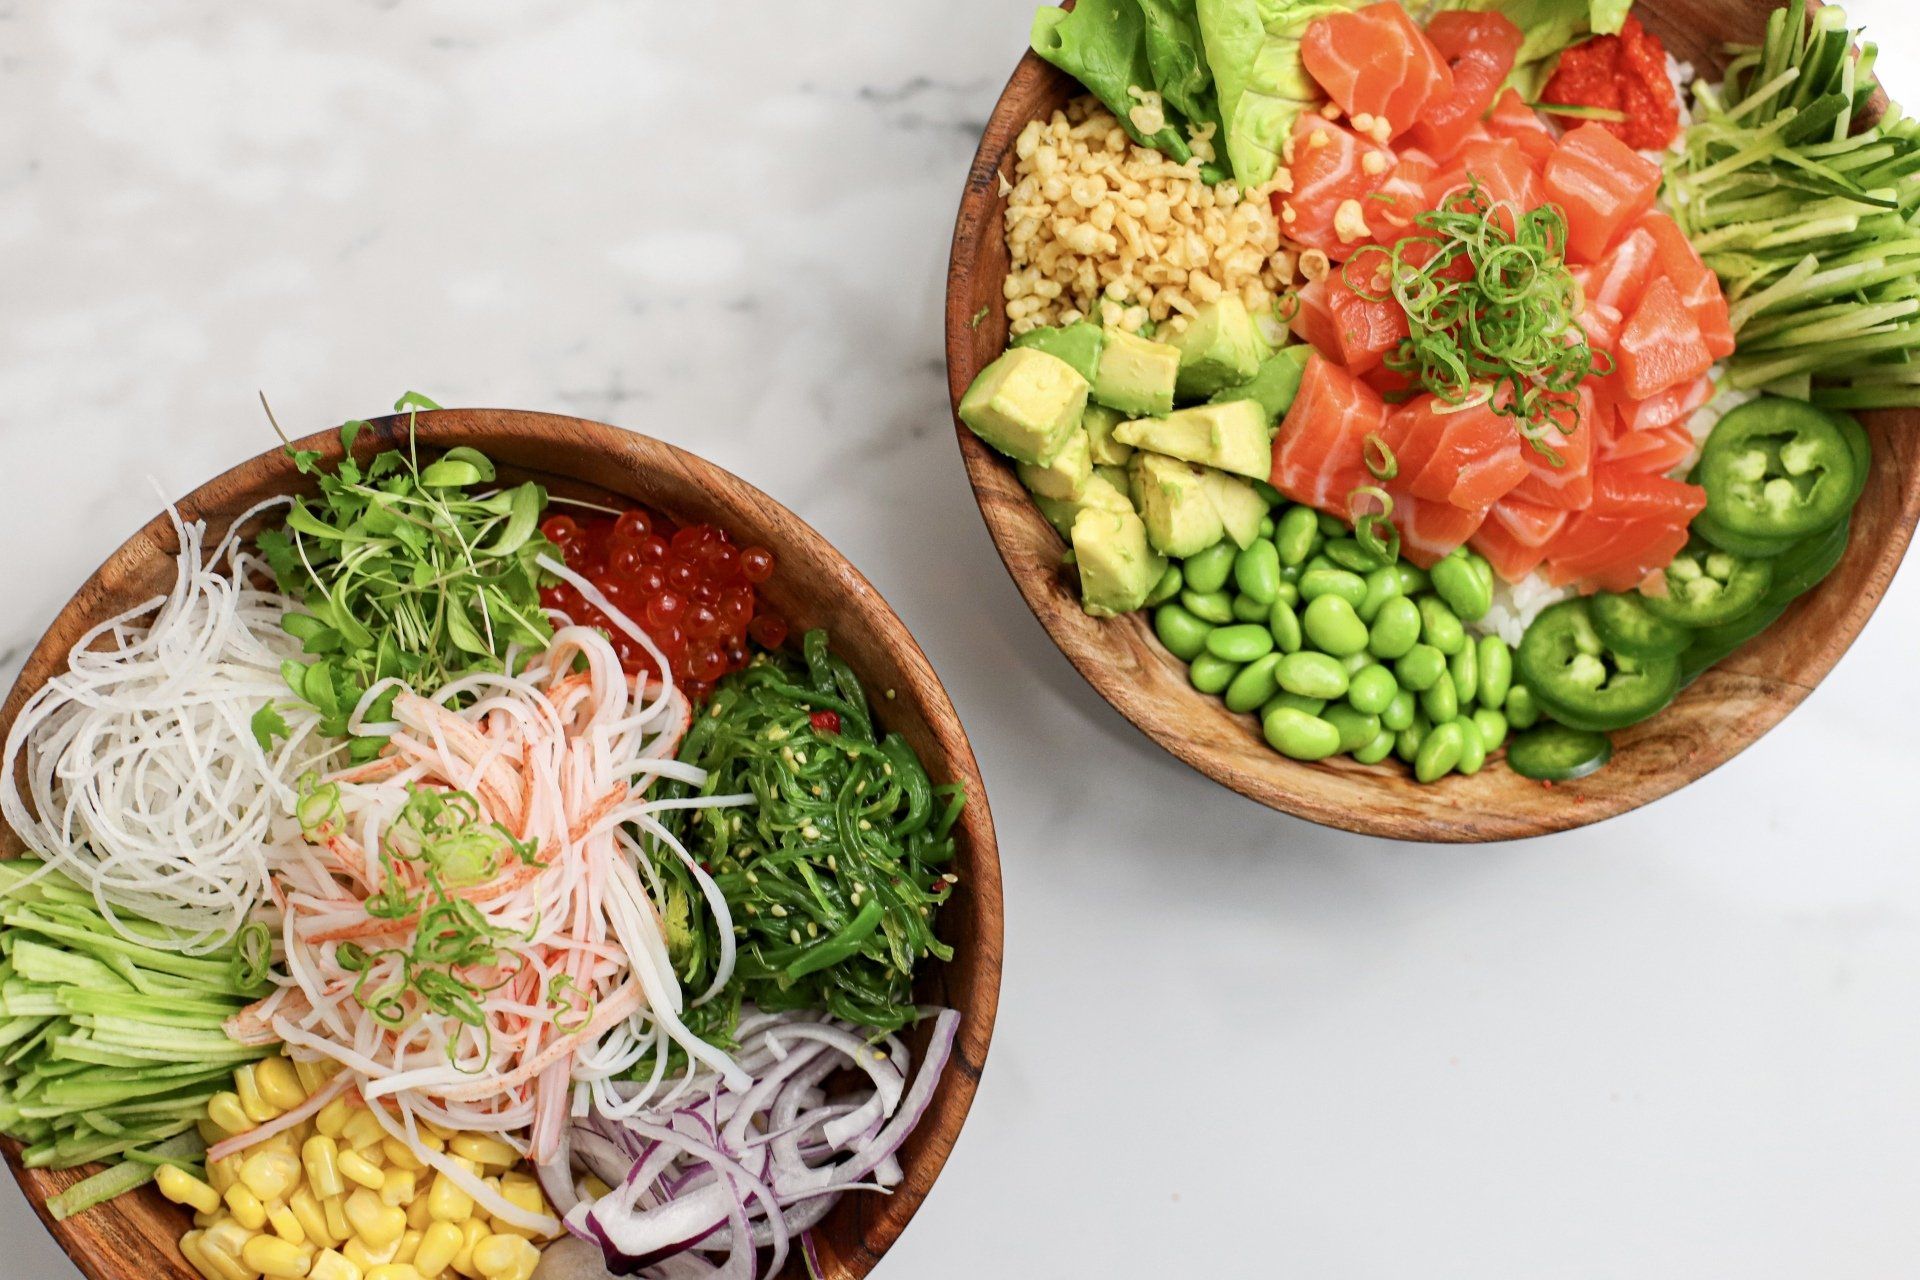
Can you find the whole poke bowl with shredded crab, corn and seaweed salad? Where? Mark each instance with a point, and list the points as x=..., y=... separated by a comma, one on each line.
x=859, y=1022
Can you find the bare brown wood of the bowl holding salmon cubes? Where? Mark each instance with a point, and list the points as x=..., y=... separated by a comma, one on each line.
x=1710, y=724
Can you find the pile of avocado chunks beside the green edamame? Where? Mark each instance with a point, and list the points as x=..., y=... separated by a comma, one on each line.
x=1140, y=450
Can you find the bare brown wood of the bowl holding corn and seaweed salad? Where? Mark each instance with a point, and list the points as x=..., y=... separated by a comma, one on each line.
x=135, y=1239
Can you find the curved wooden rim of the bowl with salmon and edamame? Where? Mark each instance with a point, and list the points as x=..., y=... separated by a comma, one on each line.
x=1341, y=794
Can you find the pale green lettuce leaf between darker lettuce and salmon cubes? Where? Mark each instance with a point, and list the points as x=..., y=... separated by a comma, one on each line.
x=1264, y=87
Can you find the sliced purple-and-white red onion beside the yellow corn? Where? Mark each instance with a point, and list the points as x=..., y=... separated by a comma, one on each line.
x=742, y=1170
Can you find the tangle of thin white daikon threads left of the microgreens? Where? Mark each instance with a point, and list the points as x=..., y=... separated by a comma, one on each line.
x=141, y=765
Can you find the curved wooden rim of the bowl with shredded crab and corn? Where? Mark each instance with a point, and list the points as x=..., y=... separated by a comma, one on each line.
x=97, y=1241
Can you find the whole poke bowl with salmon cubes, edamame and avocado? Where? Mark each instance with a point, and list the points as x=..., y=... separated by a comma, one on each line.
x=1161, y=483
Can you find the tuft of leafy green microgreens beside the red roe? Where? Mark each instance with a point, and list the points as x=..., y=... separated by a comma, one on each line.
x=421, y=573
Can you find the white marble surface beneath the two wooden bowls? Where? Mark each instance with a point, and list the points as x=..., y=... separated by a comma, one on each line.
x=1232, y=1045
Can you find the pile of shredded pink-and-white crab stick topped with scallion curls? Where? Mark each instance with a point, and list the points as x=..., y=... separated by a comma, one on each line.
x=558, y=757
